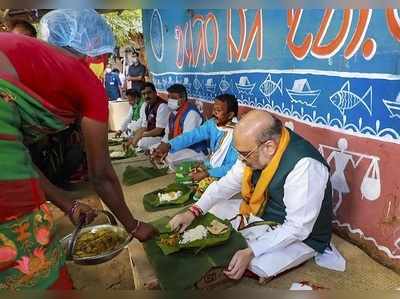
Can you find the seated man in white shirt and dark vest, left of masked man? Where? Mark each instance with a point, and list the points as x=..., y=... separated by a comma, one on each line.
x=153, y=118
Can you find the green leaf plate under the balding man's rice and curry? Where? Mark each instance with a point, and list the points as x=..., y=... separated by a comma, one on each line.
x=197, y=245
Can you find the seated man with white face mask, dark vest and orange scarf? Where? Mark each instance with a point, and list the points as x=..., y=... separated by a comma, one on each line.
x=184, y=117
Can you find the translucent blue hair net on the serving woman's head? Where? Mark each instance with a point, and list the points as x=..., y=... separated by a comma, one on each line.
x=84, y=30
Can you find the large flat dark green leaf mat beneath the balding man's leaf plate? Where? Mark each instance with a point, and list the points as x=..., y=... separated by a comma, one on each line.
x=183, y=269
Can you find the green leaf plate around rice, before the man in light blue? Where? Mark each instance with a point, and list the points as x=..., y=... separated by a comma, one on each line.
x=152, y=203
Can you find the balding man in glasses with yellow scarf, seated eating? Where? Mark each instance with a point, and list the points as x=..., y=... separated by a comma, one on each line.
x=282, y=179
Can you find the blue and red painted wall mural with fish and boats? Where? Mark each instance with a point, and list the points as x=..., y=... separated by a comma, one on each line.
x=332, y=75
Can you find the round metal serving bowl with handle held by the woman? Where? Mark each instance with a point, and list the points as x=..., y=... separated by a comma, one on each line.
x=69, y=242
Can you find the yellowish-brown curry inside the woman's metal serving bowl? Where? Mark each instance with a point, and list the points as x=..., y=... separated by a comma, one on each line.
x=95, y=243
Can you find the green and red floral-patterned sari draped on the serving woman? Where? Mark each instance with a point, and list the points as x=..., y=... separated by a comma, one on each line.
x=30, y=256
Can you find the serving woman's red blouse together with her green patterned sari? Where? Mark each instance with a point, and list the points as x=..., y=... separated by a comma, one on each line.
x=53, y=90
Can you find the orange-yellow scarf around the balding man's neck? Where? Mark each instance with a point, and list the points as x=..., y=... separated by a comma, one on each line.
x=254, y=199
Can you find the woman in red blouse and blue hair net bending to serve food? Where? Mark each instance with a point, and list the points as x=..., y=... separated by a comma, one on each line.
x=44, y=87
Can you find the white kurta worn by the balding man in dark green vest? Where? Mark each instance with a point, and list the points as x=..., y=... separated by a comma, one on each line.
x=279, y=249
